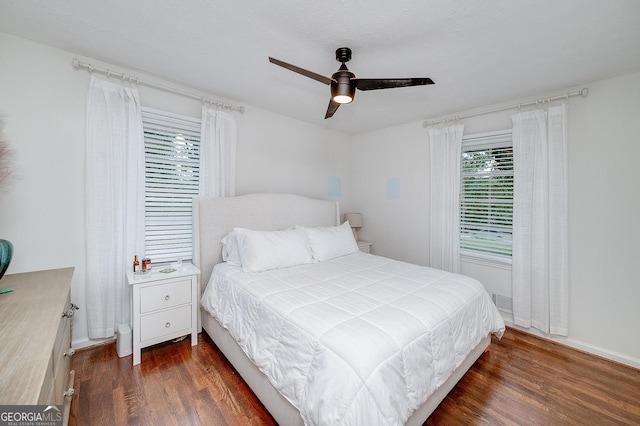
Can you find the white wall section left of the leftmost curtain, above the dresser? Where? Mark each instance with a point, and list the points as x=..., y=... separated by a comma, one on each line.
x=42, y=212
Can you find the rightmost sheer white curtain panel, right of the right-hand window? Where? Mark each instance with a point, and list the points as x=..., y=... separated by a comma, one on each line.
x=540, y=258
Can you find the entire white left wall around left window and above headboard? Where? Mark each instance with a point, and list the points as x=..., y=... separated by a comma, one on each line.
x=42, y=212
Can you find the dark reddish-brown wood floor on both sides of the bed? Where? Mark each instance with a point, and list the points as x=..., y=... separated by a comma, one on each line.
x=523, y=380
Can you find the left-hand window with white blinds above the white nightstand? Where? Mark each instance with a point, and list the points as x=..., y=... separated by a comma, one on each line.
x=171, y=144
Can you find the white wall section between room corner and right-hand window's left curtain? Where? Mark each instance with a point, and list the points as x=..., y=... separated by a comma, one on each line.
x=390, y=187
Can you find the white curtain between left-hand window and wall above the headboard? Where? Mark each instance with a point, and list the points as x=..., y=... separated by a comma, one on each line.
x=217, y=154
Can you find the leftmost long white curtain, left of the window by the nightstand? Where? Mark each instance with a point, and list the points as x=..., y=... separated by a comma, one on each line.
x=114, y=196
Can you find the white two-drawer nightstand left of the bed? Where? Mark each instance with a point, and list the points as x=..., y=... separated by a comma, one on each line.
x=164, y=306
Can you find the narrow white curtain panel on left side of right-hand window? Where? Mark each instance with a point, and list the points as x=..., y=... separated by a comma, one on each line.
x=444, y=243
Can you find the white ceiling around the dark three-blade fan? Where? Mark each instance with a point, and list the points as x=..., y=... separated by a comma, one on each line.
x=477, y=52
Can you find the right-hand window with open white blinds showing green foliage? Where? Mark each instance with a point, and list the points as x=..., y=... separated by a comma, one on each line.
x=486, y=195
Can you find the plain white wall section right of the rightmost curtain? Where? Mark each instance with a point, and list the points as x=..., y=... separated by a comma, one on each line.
x=604, y=208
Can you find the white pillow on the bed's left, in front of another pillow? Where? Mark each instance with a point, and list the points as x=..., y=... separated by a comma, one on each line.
x=265, y=250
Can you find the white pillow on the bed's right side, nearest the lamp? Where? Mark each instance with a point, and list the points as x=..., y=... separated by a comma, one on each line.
x=329, y=242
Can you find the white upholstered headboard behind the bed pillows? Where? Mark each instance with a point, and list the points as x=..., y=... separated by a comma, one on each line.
x=213, y=218
